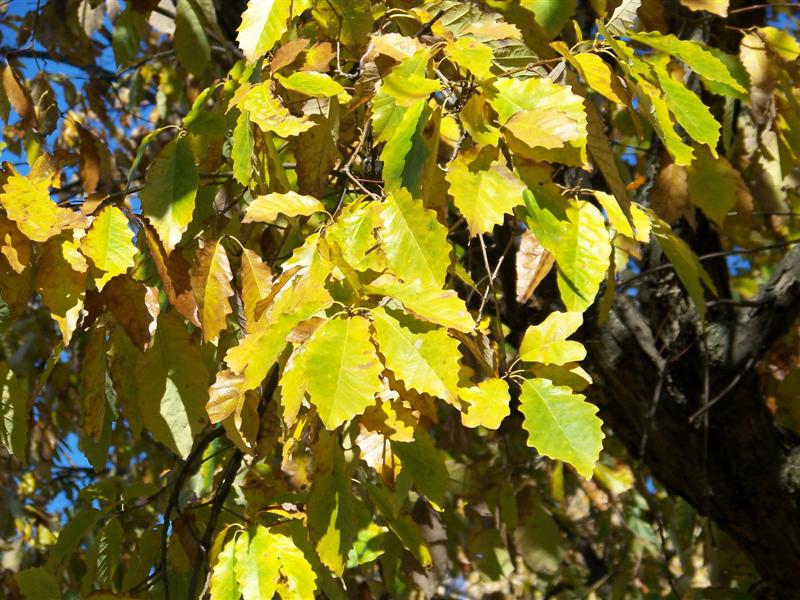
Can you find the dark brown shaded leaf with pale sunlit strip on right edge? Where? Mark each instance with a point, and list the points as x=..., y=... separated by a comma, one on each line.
x=135, y=306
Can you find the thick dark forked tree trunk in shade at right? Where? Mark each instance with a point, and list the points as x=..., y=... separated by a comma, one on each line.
x=731, y=462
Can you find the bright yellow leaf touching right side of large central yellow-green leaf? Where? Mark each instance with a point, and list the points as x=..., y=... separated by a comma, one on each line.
x=424, y=359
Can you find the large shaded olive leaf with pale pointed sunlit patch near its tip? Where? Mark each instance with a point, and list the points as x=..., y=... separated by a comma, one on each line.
x=173, y=386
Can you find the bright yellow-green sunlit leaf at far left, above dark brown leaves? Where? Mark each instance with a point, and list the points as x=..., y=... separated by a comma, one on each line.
x=109, y=244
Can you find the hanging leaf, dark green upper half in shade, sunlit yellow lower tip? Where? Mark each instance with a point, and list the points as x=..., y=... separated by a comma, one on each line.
x=168, y=195
